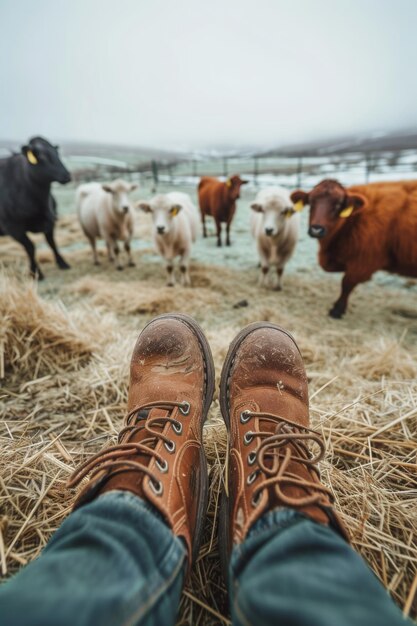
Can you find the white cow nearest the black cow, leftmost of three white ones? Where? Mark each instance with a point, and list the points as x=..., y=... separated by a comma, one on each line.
x=104, y=212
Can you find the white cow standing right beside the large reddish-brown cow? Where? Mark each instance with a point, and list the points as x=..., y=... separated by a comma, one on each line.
x=274, y=225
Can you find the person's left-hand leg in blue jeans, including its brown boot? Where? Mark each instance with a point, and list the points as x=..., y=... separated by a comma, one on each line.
x=119, y=558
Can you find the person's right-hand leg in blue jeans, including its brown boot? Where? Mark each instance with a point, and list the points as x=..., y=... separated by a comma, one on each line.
x=291, y=563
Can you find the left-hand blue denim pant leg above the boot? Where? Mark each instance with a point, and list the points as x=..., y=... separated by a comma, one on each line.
x=113, y=562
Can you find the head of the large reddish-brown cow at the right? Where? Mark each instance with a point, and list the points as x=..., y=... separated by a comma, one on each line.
x=330, y=205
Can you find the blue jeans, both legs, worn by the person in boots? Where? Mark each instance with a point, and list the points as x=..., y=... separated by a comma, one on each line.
x=114, y=562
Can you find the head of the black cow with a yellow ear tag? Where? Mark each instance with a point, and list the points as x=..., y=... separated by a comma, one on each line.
x=44, y=163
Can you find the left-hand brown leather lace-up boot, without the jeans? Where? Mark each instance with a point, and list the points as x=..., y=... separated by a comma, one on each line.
x=160, y=455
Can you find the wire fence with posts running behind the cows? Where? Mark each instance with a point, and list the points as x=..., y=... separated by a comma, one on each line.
x=288, y=171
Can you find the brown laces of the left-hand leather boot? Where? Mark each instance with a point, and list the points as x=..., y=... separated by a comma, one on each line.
x=115, y=459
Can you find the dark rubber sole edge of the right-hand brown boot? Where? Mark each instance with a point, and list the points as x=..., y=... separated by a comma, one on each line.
x=225, y=548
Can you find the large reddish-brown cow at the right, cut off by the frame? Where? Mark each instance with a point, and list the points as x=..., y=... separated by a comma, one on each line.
x=363, y=229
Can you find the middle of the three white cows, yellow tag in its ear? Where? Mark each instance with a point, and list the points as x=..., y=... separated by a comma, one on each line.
x=175, y=226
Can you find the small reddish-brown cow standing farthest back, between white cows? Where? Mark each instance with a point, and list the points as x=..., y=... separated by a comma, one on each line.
x=219, y=200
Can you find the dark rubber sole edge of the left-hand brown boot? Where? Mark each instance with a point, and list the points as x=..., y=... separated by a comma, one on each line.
x=208, y=397
